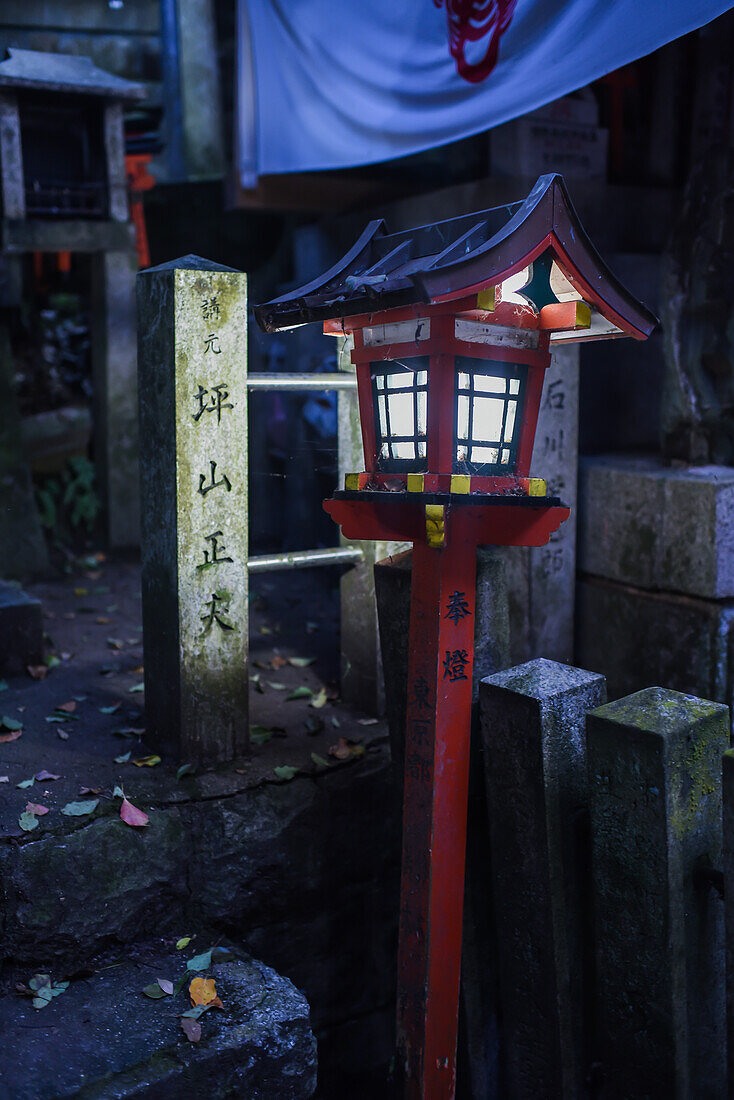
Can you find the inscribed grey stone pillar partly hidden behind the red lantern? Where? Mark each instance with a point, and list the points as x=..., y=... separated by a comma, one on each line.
x=542, y=579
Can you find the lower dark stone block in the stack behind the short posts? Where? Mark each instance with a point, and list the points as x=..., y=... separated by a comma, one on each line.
x=637, y=639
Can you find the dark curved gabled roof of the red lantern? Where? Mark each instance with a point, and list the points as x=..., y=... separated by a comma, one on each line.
x=462, y=257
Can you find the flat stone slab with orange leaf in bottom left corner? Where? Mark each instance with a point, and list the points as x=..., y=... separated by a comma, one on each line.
x=103, y=1039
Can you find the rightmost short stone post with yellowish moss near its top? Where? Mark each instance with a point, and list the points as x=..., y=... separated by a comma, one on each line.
x=655, y=796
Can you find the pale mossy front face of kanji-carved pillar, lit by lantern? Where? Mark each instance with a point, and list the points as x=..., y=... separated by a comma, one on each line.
x=212, y=471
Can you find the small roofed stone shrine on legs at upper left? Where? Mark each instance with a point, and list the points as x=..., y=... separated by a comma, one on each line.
x=63, y=189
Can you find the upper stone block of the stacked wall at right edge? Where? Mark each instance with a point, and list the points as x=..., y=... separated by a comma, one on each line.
x=658, y=527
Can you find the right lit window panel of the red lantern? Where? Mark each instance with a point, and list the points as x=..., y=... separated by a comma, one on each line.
x=489, y=415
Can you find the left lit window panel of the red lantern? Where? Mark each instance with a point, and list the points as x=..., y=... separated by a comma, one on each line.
x=400, y=390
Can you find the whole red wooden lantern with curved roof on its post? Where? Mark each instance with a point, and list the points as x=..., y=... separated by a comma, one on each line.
x=453, y=327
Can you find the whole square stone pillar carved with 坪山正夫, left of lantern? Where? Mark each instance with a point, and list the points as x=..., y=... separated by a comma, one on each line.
x=194, y=467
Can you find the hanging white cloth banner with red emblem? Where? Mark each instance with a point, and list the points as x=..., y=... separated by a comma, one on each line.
x=334, y=84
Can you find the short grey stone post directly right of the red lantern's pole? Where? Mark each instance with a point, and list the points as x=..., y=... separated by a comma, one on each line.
x=533, y=734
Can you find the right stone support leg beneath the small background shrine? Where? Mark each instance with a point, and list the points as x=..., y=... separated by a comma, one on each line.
x=116, y=394
